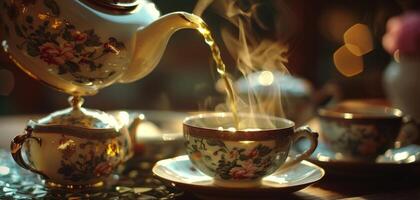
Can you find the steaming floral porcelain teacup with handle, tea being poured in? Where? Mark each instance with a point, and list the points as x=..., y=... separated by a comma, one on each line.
x=241, y=158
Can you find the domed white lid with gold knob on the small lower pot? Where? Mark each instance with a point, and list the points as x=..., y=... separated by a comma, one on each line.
x=76, y=116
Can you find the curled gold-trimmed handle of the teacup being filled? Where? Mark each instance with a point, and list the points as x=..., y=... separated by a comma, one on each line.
x=302, y=132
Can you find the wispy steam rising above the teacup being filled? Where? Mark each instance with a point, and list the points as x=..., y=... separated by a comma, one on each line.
x=257, y=51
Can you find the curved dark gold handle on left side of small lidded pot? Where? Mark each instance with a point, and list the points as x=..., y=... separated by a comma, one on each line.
x=16, y=150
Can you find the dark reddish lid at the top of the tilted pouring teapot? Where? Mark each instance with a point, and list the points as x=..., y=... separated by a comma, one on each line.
x=120, y=5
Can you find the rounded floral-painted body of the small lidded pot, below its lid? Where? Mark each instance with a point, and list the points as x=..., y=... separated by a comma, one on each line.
x=70, y=160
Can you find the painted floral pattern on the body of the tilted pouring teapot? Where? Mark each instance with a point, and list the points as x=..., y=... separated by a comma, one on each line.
x=58, y=43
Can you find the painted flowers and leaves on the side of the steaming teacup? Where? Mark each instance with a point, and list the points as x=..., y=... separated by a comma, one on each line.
x=231, y=163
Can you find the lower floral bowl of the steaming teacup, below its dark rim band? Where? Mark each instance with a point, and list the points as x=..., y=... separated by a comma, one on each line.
x=247, y=160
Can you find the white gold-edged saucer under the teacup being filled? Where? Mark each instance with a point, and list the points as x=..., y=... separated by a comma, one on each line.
x=180, y=172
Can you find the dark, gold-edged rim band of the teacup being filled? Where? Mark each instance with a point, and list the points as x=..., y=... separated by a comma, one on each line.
x=237, y=135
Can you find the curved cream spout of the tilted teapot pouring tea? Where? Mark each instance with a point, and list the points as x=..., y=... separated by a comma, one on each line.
x=151, y=42
